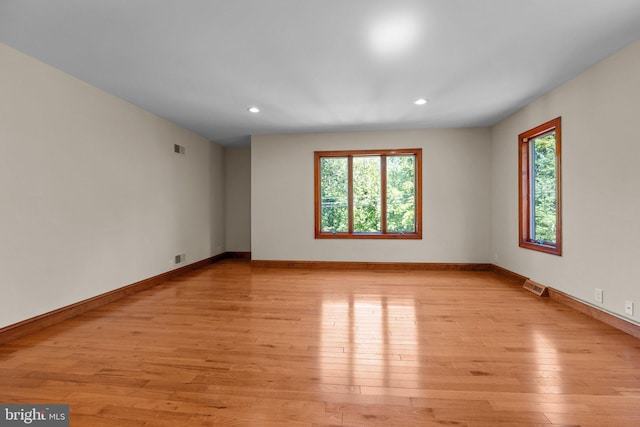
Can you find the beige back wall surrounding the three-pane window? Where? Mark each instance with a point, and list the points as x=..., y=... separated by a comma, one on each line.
x=456, y=207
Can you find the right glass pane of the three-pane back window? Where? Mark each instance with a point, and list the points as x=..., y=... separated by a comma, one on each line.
x=401, y=182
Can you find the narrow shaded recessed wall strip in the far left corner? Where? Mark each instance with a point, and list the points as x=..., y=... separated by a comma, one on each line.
x=238, y=198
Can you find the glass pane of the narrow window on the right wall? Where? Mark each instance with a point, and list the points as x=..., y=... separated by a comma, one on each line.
x=543, y=191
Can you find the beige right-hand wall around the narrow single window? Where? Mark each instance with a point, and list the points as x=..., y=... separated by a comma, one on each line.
x=601, y=185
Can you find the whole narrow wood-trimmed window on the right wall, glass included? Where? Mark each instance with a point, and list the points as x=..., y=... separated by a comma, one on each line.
x=540, y=214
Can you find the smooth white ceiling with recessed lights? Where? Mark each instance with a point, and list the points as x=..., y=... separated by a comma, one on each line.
x=321, y=65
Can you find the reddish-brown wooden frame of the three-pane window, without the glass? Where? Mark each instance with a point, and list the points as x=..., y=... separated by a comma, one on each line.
x=350, y=154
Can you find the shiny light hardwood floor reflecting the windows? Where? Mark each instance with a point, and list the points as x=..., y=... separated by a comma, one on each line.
x=242, y=346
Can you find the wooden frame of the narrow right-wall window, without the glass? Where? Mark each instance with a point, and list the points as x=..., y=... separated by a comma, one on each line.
x=524, y=209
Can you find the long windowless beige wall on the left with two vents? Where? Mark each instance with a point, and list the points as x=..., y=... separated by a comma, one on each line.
x=93, y=197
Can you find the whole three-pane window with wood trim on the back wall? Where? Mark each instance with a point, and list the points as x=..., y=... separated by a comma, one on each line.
x=372, y=194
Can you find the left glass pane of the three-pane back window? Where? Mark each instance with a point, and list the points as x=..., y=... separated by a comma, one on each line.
x=334, y=188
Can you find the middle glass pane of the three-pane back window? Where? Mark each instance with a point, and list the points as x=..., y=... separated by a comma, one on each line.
x=366, y=195
